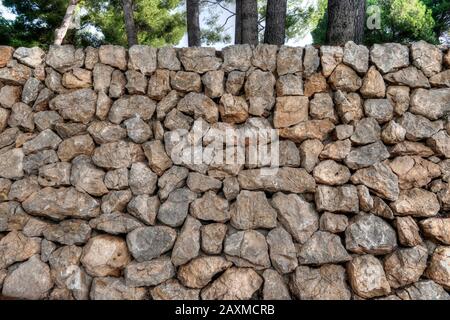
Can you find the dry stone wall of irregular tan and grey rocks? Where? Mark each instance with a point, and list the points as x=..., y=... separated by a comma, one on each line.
x=100, y=197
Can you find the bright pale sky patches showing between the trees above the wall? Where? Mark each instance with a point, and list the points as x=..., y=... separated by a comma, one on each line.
x=223, y=15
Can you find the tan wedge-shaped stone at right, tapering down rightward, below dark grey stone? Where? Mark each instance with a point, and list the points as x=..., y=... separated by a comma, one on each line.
x=380, y=179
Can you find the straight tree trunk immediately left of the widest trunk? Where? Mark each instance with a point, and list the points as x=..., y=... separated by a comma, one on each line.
x=275, y=32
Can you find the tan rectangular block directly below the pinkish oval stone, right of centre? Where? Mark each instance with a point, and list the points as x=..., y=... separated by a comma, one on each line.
x=337, y=199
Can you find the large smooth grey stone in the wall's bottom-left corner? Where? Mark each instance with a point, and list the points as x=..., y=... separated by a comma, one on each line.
x=31, y=280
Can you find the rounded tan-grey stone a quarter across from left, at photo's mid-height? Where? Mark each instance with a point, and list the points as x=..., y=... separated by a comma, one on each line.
x=113, y=155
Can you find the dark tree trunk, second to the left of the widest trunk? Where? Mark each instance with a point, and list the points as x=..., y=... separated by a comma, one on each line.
x=249, y=20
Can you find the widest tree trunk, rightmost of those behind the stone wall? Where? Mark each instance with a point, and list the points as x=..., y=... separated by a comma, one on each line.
x=345, y=21
